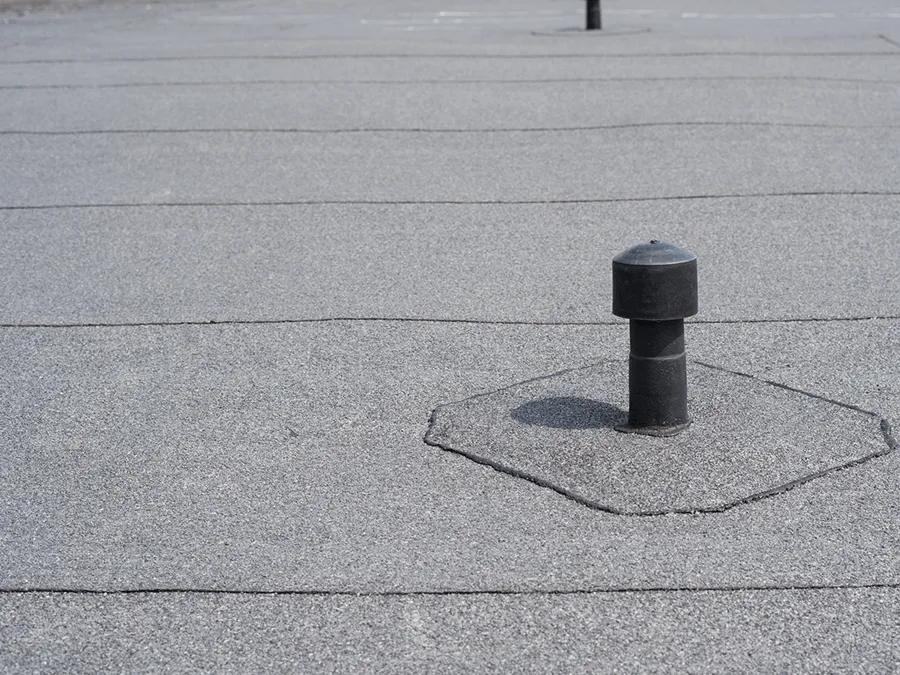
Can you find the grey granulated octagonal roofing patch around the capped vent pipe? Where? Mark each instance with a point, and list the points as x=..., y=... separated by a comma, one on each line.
x=749, y=439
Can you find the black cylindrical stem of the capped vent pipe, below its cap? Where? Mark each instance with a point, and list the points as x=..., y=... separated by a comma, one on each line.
x=657, y=374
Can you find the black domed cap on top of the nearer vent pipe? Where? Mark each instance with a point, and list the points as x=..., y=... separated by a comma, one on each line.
x=655, y=281
